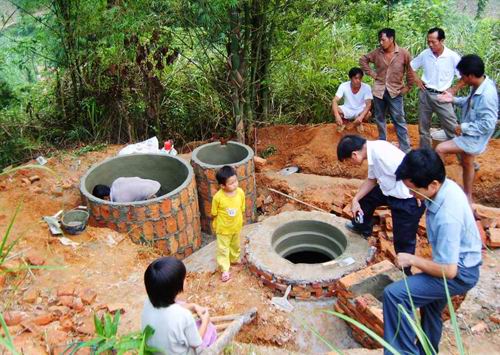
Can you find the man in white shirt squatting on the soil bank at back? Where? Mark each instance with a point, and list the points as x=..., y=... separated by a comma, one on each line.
x=357, y=101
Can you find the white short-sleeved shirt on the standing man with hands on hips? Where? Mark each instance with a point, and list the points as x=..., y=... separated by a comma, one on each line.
x=438, y=71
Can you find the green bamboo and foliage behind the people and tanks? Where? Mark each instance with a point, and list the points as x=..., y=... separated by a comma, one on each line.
x=89, y=72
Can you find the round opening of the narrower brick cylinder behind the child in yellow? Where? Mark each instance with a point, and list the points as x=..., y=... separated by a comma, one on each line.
x=217, y=154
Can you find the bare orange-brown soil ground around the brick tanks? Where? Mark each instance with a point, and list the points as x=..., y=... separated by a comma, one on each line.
x=105, y=271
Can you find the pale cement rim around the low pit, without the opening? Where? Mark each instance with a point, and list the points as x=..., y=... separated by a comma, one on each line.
x=264, y=260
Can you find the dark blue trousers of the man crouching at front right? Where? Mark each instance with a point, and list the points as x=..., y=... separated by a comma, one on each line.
x=428, y=294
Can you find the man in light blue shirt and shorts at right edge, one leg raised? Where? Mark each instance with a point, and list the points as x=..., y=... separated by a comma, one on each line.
x=479, y=118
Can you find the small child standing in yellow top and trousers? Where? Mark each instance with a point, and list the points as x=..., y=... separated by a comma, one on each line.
x=228, y=206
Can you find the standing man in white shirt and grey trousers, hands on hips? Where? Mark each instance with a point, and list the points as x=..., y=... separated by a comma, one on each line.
x=439, y=68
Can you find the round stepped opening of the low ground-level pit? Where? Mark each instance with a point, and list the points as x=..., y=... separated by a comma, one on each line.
x=308, y=242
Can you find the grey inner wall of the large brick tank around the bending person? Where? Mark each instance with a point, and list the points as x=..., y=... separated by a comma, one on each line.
x=168, y=171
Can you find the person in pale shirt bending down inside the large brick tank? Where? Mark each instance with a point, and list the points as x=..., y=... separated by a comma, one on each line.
x=127, y=189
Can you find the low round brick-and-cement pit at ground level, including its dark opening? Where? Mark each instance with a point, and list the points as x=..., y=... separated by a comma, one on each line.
x=298, y=234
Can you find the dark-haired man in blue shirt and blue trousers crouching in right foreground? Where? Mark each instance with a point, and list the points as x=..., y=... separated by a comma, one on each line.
x=456, y=254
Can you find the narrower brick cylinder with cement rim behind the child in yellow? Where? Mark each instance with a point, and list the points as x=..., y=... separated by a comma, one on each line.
x=207, y=159
